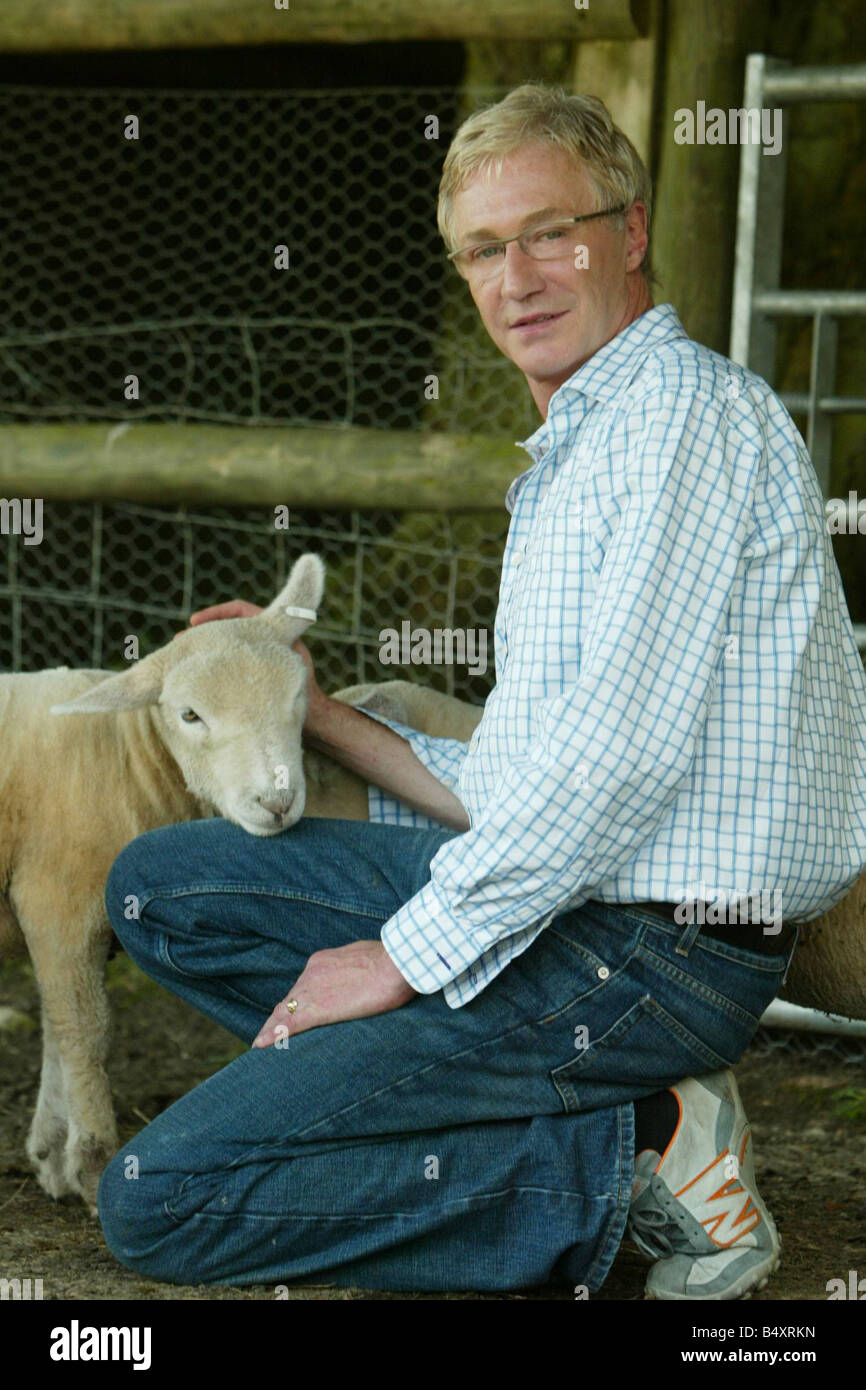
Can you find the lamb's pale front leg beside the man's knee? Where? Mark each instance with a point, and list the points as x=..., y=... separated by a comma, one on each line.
x=76, y=1011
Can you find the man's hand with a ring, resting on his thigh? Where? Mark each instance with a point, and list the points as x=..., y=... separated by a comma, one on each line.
x=347, y=983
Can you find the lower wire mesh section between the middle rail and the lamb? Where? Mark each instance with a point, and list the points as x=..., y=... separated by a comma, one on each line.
x=106, y=572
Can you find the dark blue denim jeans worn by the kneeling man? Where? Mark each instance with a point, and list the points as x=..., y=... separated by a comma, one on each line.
x=489, y=1147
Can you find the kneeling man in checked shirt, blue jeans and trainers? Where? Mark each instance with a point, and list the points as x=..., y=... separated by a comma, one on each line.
x=507, y=1038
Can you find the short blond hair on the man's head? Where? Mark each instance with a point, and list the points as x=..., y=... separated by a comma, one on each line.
x=534, y=113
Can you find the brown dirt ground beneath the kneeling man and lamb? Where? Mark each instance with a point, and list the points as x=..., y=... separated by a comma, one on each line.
x=808, y=1114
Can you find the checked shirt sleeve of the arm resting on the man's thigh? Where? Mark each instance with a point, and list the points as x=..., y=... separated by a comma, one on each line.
x=610, y=754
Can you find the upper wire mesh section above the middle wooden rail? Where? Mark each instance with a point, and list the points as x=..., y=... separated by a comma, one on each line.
x=259, y=258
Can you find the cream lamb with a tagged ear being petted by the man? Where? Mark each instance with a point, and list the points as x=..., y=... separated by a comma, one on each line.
x=208, y=725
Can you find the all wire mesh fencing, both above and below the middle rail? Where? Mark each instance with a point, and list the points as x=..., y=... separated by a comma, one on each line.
x=156, y=259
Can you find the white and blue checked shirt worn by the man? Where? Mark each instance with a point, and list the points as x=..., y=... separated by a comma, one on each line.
x=680, y=707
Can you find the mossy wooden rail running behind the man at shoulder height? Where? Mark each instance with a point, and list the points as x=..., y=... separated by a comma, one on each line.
x=234, y=465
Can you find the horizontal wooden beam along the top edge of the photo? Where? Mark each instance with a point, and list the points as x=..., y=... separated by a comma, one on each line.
x=194, y=24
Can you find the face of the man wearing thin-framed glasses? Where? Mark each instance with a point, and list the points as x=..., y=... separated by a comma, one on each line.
x=590, y=306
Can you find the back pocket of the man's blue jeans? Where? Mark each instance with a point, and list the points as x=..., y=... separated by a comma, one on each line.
x=647, y=1050
